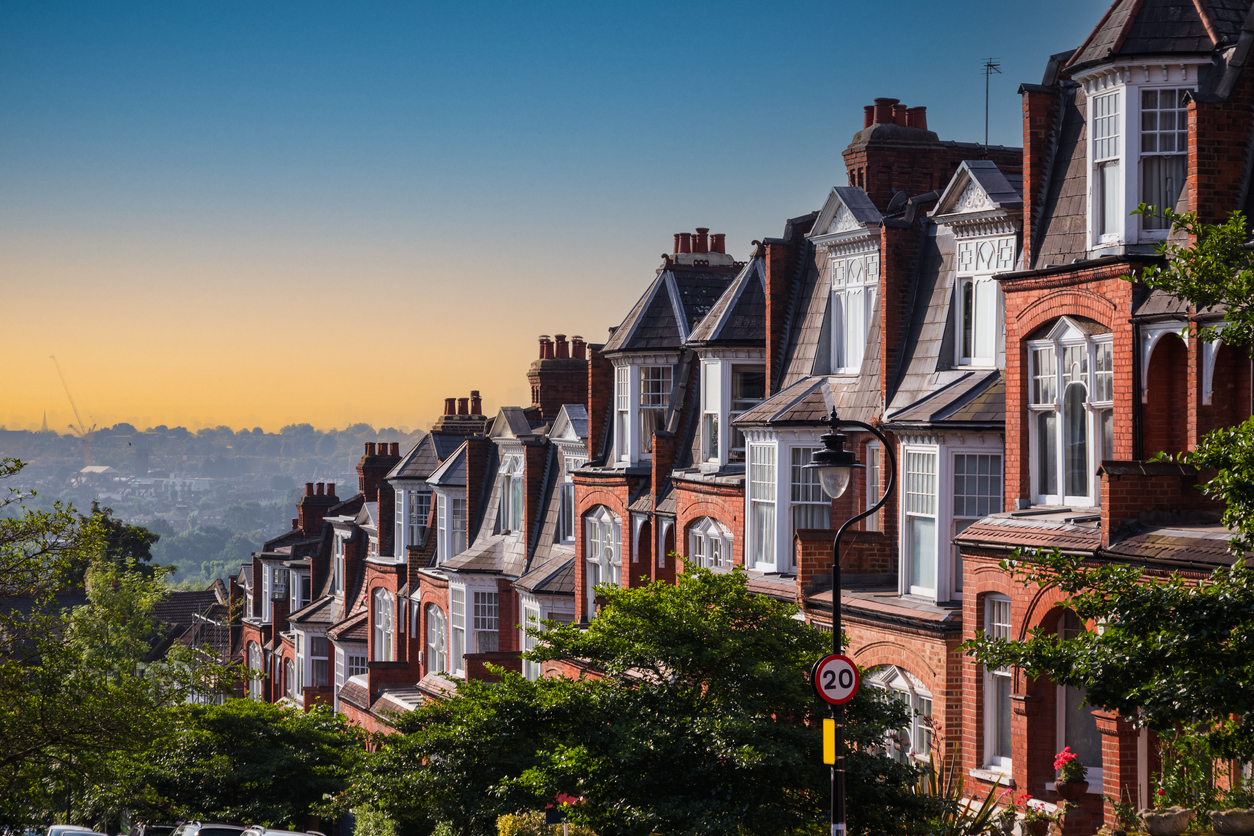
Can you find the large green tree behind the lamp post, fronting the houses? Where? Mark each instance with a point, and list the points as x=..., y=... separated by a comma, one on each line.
x=698, y=719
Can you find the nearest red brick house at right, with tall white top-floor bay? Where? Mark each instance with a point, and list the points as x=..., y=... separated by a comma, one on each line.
x=1154, y=107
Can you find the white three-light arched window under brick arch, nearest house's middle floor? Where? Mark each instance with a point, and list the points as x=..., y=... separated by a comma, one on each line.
x=1072, y=408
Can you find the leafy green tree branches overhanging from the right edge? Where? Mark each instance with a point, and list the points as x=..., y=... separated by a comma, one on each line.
x=1171, y=652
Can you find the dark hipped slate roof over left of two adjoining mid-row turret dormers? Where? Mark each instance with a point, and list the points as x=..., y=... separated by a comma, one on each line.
x=670, y=309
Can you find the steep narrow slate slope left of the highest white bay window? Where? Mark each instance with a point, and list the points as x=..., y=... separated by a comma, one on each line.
x=1064, y=217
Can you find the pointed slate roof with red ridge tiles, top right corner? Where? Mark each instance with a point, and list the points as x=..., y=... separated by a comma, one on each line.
x=1162, y=28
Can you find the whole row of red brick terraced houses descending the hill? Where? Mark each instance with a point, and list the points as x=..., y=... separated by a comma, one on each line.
x=969, y=300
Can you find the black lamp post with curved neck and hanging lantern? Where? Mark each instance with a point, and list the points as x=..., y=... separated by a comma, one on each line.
x=836, y=466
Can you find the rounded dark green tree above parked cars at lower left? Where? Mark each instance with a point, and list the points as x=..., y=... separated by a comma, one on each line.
x=248, y=761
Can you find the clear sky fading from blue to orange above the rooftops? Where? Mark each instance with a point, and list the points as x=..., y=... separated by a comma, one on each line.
x=258, y=214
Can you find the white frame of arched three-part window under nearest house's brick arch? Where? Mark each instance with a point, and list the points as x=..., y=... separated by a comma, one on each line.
x=1048, y=393
